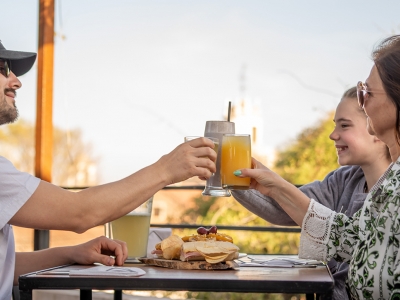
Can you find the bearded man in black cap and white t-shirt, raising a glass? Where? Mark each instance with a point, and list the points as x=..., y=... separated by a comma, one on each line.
x=27, y=201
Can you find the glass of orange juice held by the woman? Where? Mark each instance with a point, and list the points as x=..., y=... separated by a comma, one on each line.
x=235, y=155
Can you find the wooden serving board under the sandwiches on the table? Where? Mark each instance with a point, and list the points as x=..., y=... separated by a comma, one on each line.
x=188, y=265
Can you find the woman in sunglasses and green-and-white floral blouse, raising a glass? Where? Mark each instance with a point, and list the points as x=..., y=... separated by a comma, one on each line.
x=369, y=240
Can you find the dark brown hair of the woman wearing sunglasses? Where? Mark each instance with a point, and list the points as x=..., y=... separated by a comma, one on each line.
x=386, y=57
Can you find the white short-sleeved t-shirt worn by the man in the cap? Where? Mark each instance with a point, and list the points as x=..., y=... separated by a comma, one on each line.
x=15, y=189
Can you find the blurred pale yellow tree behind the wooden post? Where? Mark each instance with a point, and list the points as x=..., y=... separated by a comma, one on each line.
x=73, y=162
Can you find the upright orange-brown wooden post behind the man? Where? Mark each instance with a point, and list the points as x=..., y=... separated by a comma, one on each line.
x=44, y=104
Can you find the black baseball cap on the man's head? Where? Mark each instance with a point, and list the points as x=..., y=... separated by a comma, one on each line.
x=21, y=62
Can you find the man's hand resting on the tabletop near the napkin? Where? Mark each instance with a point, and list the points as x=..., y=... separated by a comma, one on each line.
x=100, y=250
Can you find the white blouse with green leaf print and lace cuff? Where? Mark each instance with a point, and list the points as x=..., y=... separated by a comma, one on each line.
x=369, y=241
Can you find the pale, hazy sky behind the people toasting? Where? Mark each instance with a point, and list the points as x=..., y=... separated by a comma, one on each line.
x=137, y=76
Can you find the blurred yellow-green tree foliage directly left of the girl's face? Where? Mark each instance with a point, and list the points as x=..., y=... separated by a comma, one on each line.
x=310, y=157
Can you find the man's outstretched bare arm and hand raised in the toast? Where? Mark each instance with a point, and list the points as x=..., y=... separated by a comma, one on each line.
x=51, y=207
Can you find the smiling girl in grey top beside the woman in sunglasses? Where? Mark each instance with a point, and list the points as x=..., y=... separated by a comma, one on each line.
x=364, y=159
